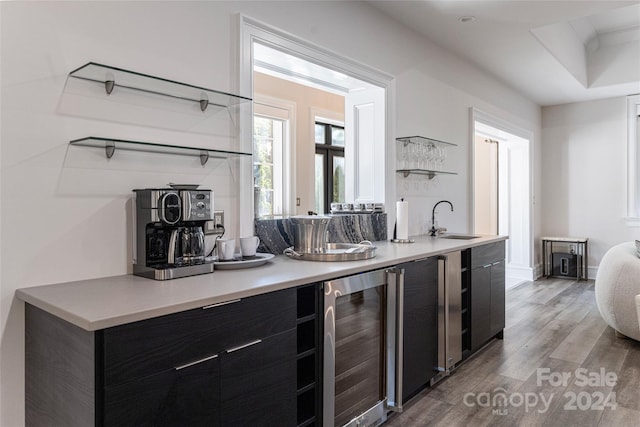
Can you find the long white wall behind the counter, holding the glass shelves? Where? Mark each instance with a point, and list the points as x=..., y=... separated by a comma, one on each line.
x=64, y=213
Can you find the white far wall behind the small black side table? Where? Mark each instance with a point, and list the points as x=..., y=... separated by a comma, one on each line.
x=584, y=157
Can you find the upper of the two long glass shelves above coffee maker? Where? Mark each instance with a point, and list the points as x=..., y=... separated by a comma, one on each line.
x=112, y=77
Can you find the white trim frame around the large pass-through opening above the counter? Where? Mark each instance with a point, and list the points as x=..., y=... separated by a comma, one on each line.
x=252, y=30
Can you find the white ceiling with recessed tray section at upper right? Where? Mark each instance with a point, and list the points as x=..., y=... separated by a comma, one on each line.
x=553, y=52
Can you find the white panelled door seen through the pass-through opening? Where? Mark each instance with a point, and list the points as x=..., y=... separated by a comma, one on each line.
x=365, y=145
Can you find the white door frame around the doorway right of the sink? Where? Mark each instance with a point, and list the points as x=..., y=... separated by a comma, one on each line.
x=501, y=124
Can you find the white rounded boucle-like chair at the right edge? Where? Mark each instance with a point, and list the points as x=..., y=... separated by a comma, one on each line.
x=617, y=284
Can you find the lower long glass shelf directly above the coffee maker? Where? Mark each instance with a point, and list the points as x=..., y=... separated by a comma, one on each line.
x=110, y=145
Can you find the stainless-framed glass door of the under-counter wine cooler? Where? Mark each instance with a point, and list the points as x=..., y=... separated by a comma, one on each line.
x=359, y=344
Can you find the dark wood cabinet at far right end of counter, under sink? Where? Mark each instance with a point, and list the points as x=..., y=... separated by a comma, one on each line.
x=487, y=299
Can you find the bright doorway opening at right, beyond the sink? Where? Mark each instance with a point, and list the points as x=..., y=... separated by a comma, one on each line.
x=502, y=191
